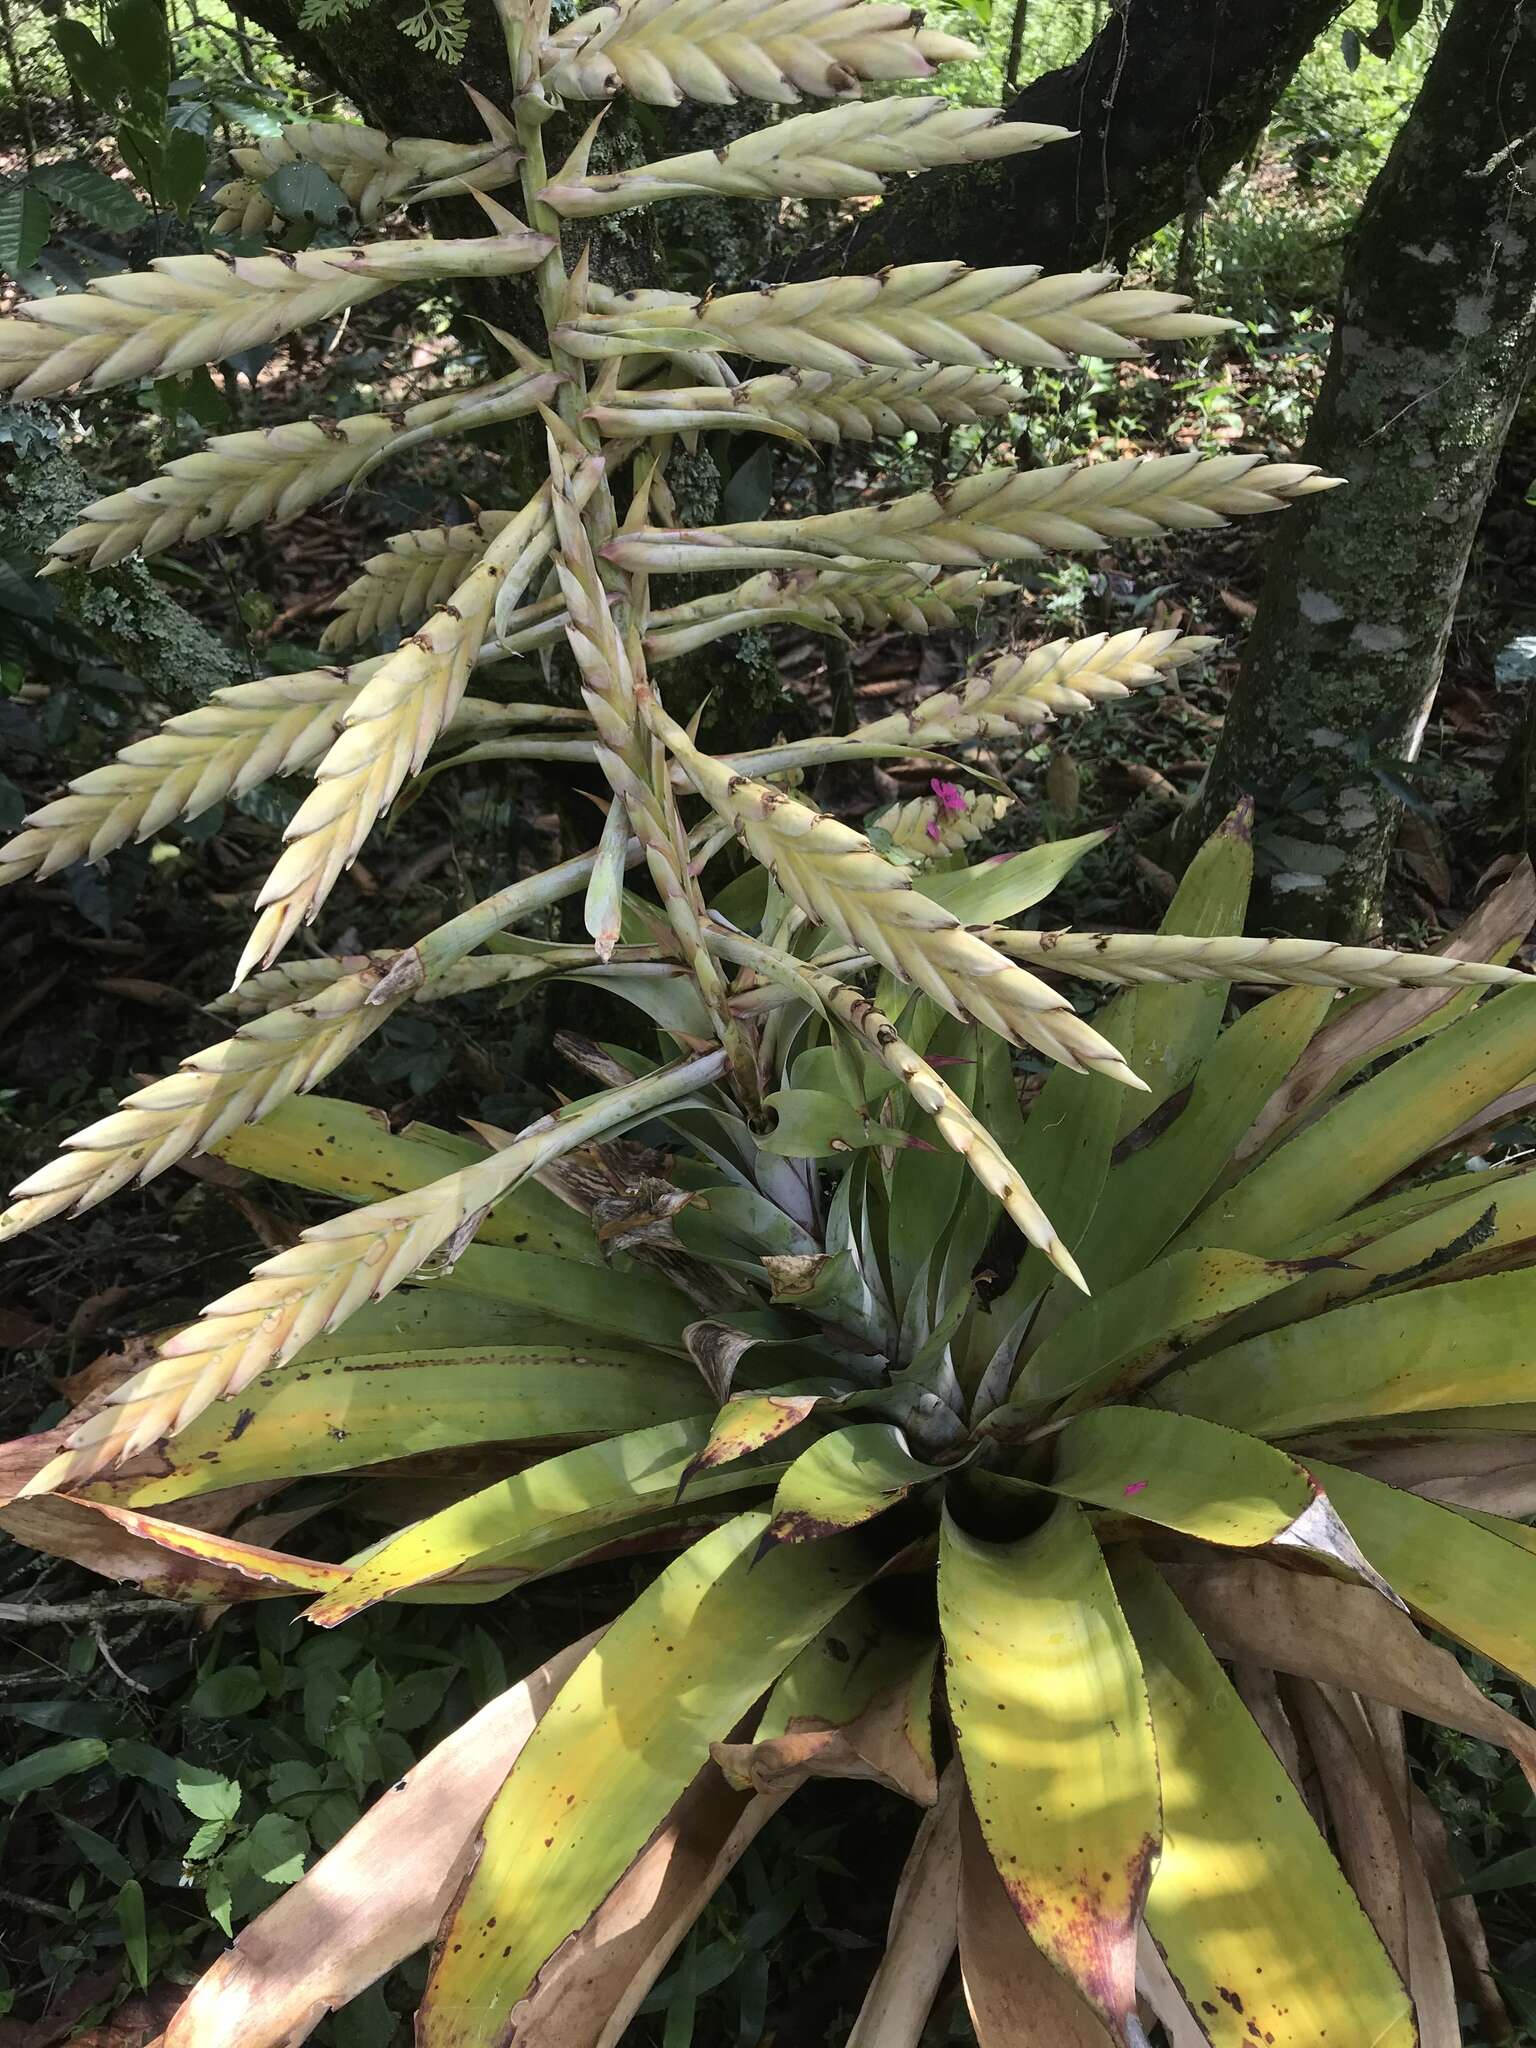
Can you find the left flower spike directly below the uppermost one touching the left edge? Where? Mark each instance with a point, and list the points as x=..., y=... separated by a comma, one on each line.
x=273, y=474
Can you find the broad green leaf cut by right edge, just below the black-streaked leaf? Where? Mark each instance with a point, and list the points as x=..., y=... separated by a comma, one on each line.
x=1465, y=1345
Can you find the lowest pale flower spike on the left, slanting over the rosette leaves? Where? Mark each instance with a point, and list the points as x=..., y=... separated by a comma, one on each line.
x=333, y=1271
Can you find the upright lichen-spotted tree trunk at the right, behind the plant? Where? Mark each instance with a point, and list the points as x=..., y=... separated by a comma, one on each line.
x=1435, y=343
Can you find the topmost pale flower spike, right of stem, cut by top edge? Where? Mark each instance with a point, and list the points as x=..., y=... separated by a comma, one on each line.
x=720, y=52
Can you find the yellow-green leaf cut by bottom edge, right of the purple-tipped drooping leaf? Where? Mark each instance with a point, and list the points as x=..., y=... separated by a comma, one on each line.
x=1261, y=1930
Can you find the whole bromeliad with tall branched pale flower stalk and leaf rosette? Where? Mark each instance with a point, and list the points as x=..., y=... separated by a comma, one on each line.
x=808, y=1297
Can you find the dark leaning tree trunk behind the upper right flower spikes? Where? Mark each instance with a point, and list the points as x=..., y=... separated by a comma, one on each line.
x=1166, y=99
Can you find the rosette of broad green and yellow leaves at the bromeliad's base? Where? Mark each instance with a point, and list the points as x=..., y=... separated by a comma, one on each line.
x=1097, y=1582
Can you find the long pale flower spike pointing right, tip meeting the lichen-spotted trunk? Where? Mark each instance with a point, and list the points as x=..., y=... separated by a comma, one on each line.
x=996, y=515
